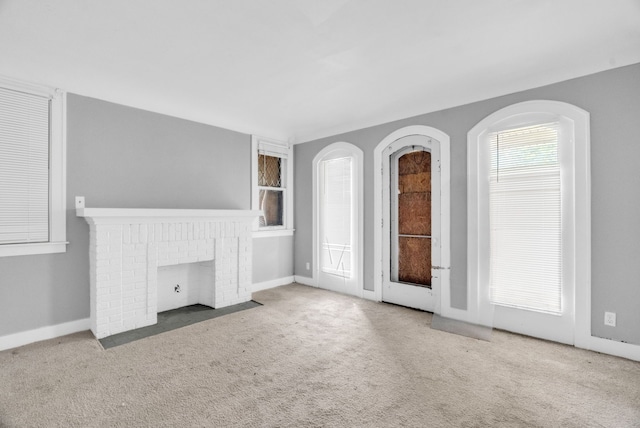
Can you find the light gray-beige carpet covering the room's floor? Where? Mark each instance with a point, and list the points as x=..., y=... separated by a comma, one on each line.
x=312, y=358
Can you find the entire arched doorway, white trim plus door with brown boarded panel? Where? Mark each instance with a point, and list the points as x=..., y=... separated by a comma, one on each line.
x=412, y=211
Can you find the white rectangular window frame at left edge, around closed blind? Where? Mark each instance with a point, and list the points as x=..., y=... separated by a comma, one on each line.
x=57, y=242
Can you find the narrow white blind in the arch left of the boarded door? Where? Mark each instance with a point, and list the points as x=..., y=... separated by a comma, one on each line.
x=336, y=217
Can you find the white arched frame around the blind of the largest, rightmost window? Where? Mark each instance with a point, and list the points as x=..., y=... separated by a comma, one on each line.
x=575, y=125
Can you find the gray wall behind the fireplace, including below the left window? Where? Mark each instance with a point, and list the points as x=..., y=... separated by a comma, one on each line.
x=123, y=157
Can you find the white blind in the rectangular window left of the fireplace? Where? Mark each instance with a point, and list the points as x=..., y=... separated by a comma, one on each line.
x=24, y=167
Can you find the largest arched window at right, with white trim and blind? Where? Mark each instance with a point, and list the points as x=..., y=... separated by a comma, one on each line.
x=528, y=220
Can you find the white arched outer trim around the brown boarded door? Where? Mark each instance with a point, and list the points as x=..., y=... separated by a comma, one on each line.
x=443, y=302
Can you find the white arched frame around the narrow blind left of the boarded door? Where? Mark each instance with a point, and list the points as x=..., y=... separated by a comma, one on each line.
x=358, y=248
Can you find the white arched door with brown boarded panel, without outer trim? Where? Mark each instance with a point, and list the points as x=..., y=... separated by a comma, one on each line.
x=411, y=222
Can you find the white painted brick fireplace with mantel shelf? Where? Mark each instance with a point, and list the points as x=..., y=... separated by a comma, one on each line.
x=128, y=245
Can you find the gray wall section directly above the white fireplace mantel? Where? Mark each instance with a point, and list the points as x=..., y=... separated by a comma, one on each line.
x=124, y=157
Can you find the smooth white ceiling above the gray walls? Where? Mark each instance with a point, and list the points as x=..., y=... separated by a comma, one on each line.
x=298, y=70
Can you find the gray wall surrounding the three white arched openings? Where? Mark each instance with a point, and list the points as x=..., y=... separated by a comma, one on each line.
x=613, y=100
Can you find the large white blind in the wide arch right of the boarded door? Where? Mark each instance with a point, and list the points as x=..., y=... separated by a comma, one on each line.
x=525, y=218
